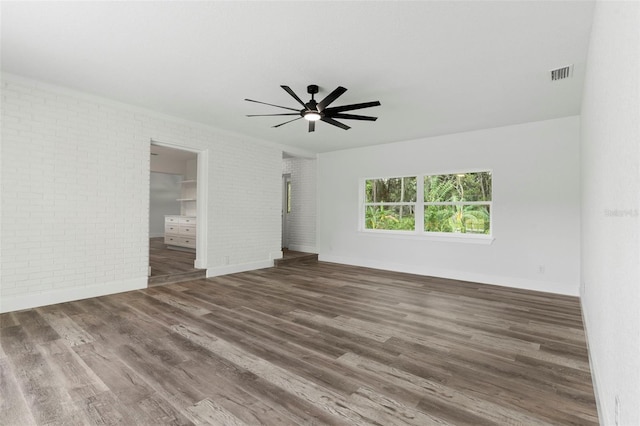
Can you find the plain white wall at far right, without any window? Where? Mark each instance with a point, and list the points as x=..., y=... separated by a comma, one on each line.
x=610, y=162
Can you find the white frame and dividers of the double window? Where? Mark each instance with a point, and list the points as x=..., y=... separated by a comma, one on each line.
x=419, y=206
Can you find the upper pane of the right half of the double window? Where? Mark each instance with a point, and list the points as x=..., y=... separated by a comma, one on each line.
x=458, y=187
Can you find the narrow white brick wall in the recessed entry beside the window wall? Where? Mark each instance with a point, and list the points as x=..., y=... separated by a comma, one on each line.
x=302, y=219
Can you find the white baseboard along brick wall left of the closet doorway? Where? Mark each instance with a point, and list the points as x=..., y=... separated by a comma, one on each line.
x=33, y=300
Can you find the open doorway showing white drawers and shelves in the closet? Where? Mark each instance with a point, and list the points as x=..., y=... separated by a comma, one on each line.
x=173, y=215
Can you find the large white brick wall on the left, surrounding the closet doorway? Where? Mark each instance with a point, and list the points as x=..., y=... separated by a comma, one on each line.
x=75, y=191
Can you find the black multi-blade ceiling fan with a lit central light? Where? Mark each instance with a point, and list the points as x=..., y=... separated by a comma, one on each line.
x=313, y=111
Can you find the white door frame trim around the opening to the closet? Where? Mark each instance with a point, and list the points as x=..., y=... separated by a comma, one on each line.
x=202, y=190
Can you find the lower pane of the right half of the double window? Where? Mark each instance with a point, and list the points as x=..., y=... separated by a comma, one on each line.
x=473, y=219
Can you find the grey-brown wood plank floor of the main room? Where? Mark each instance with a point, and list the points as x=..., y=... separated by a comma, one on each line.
x=302, y=344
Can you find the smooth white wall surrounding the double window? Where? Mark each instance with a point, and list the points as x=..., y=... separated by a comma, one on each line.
x=536, y=206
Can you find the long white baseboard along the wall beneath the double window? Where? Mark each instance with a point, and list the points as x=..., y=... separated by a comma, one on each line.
x=524, y=284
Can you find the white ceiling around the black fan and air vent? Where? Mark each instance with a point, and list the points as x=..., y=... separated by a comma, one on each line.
x=437, y=67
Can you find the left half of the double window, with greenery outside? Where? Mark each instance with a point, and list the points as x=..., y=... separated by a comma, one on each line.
x=391, y=203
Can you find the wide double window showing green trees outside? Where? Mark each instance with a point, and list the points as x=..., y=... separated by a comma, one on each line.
x=445, y=204
